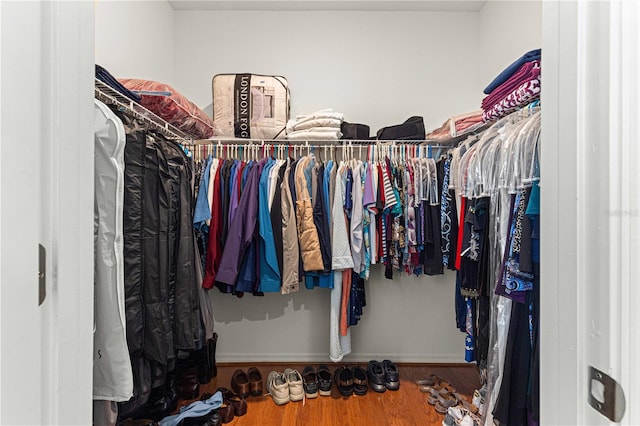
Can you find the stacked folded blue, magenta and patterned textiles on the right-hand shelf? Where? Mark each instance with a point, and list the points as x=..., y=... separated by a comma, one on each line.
x=515, y=87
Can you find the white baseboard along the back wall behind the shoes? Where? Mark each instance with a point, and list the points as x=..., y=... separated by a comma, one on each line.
x=324, y=358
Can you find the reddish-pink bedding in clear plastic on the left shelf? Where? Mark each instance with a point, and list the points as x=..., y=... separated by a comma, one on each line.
x=171, y=106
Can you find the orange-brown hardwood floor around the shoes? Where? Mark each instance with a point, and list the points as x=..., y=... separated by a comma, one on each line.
x=407, y=406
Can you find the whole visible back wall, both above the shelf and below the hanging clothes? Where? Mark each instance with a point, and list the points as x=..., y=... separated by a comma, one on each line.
x=378, y=68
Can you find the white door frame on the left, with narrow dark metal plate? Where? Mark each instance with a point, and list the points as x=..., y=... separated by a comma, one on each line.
x=46, y=197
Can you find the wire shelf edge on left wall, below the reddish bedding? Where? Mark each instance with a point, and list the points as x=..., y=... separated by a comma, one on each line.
x=107, y=94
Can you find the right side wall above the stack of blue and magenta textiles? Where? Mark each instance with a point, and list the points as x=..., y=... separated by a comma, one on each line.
x=508, y=29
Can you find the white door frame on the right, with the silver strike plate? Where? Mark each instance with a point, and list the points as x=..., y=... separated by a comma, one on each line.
x=590, y=213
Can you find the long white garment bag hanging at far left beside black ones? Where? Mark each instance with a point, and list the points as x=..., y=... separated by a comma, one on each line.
x=112, y=376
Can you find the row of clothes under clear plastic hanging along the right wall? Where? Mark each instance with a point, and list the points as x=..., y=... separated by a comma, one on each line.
x=495, y=177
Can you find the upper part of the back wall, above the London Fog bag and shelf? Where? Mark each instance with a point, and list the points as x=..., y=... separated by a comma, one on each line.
x=378, y=68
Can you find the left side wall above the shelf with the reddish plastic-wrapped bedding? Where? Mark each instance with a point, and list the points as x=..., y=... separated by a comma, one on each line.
x=135, y=39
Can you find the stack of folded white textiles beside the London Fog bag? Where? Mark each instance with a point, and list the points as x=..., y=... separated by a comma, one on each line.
x=321, y=125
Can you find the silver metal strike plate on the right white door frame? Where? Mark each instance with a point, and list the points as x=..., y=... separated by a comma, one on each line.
x=606, y=395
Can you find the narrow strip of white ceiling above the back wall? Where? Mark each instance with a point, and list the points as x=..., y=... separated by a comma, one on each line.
x=363, y=5
